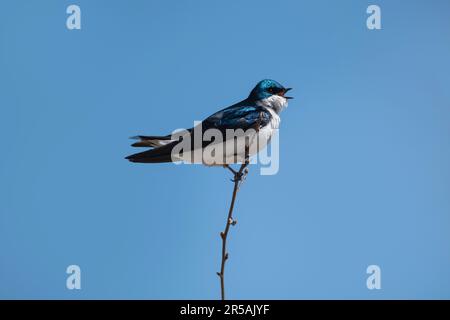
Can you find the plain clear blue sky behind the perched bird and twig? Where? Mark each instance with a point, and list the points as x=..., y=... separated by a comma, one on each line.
x=364, y=149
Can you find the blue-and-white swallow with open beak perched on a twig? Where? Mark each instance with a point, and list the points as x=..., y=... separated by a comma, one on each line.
x=257, y=116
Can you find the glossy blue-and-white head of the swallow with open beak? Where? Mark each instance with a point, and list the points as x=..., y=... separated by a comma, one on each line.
x=271, y=94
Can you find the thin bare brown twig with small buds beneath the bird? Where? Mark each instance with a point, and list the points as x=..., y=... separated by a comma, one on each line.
x=238, y=177
